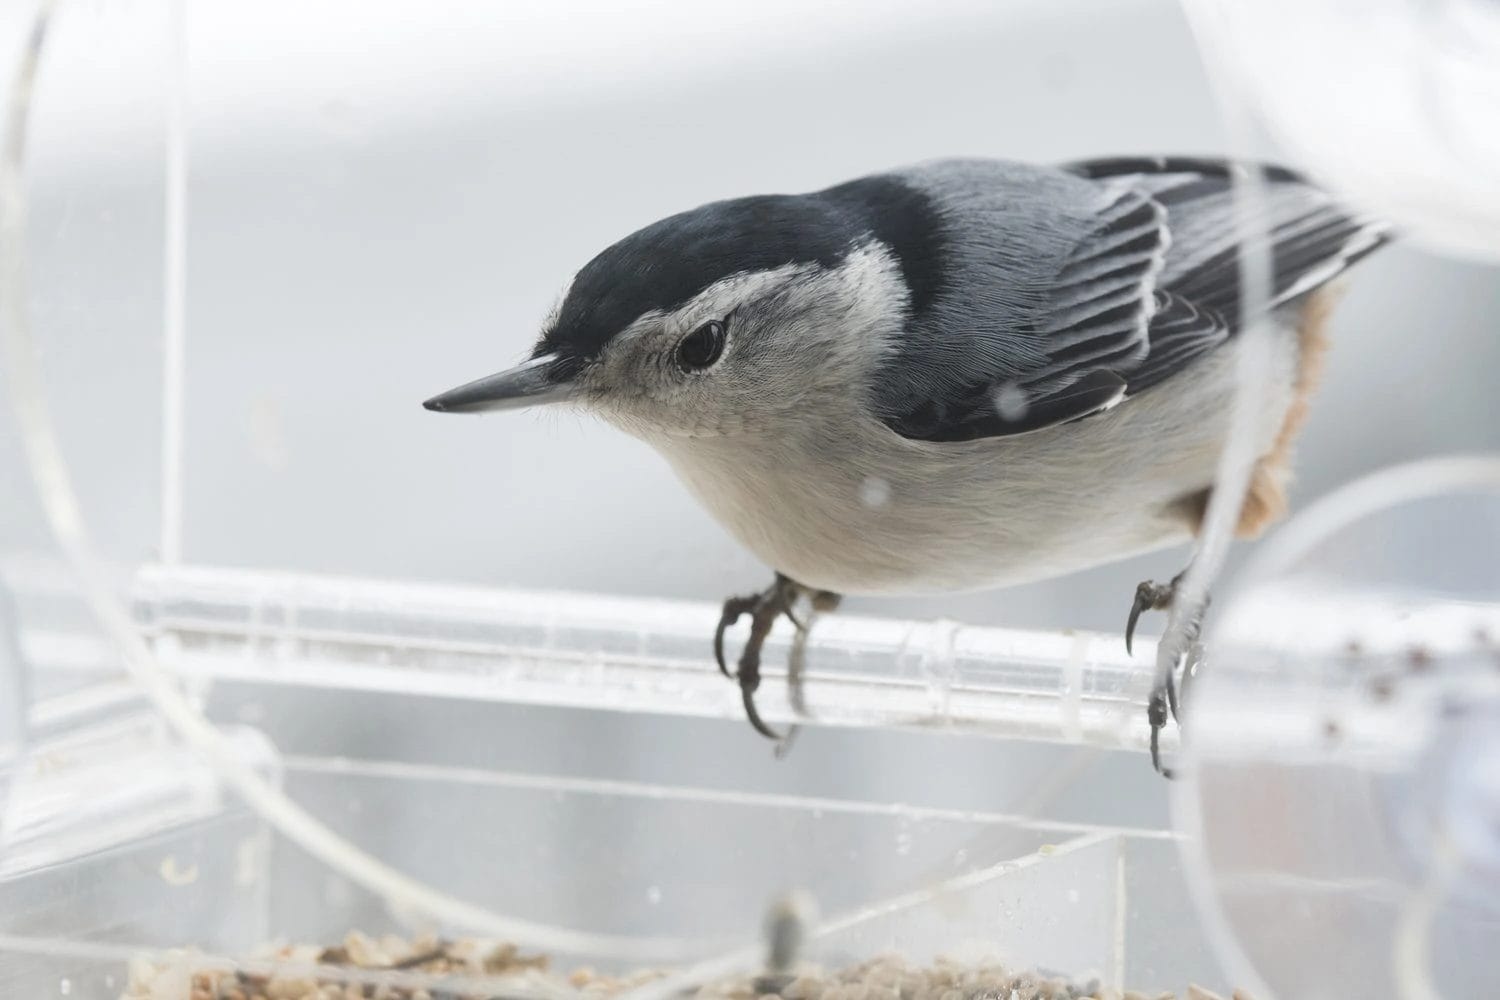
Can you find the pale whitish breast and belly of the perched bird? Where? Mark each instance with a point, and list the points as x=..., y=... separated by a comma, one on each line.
x=844, y=504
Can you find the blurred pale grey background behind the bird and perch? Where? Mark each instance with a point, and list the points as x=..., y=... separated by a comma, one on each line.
x=385, y=202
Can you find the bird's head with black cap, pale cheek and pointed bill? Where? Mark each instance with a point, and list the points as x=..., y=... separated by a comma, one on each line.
x=716, y=322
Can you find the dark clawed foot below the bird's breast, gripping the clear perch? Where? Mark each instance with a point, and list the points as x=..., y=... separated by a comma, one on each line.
x=764, y=609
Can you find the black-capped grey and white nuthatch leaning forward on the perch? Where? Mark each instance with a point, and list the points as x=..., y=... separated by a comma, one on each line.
x=956, y=376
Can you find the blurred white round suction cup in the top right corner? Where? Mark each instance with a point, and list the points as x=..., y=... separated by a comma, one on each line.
x=1390, y=101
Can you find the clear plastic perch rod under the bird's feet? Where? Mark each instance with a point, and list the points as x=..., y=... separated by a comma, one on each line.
x=637, y=656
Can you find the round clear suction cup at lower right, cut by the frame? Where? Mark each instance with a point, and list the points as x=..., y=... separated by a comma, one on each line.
x=1345, y=746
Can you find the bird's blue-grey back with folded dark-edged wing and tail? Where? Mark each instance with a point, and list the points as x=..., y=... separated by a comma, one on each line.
x=1075, y=290
